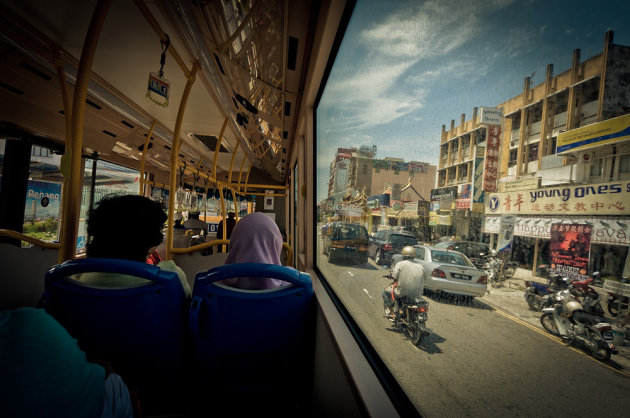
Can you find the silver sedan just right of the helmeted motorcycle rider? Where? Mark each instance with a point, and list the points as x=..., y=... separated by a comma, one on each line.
x=448, y=271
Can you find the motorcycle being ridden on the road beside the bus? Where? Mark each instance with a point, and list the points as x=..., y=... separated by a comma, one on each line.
x=411, y=315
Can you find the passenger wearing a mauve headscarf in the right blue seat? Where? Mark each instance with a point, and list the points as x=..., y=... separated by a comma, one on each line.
x=256, y=239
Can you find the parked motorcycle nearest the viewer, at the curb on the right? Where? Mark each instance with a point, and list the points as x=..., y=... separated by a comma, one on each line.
x=568, y=320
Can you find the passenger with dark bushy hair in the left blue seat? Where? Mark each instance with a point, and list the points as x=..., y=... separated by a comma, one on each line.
x=128, y=227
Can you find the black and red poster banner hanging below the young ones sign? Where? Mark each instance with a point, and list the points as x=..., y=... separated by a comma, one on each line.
x=570, y=247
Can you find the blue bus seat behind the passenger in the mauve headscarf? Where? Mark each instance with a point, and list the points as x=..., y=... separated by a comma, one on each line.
x=252, y=340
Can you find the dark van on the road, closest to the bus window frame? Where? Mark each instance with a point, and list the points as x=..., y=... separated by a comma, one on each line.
x=344, y=241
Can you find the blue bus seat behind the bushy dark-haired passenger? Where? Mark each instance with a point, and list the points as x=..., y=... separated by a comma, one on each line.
x=141, y=329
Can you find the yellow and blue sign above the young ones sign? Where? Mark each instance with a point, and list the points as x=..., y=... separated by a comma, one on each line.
x=606, y=132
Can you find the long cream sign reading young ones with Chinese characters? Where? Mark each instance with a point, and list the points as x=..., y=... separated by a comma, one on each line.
x=593, y=199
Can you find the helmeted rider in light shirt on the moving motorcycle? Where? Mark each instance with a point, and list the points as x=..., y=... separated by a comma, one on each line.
x=409, y=281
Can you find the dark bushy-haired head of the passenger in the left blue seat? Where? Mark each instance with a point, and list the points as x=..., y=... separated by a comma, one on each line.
x=124, y=227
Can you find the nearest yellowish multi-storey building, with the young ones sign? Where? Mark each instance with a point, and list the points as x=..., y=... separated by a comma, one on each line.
x=565, y=157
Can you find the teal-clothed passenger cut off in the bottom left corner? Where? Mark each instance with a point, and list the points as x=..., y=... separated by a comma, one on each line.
x=45, y=373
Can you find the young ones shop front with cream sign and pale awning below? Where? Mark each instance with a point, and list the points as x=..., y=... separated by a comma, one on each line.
x=603, y=206
